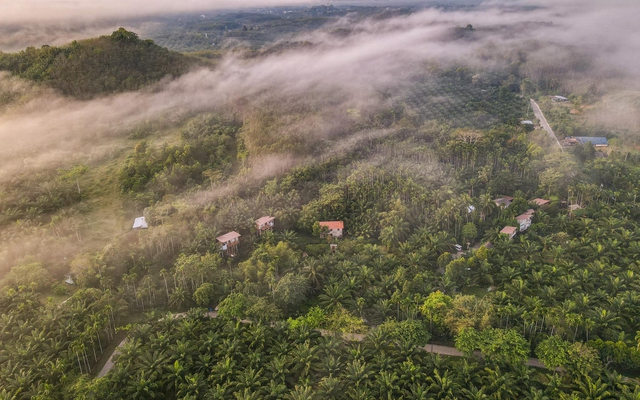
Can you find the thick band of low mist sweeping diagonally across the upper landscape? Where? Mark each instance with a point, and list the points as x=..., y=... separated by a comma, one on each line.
x=344, y=71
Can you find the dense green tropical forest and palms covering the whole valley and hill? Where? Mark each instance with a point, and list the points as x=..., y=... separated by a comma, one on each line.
x=422, y=296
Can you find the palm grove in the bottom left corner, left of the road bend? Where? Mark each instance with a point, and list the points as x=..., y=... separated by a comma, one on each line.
x=44, y=345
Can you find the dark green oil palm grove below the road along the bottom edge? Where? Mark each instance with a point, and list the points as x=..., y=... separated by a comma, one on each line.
x=197, y=357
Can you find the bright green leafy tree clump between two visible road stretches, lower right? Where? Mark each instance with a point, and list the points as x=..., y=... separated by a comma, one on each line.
x=495, y=344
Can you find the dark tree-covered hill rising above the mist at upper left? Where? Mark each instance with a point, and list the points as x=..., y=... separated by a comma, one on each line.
x=87, y=68
